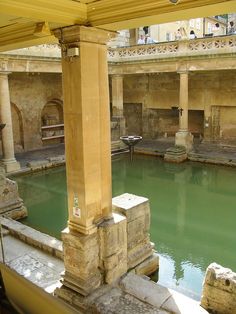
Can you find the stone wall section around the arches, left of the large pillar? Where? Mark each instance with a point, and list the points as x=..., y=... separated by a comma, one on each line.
x=29, y=93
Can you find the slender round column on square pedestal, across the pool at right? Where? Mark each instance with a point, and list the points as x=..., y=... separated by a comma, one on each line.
x=183, y=137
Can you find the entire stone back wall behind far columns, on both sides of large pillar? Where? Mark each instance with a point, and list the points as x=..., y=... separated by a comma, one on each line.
x=147, y=105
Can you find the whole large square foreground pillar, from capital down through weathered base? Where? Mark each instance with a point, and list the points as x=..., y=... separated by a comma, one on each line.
x=88, y=165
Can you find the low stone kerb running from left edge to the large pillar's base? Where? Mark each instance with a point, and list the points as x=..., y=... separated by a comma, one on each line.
x=33, y=237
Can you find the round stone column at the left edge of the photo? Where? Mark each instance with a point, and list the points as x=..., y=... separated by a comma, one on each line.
x=8, y=160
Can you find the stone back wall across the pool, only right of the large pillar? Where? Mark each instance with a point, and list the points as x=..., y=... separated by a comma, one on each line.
x=157, y=93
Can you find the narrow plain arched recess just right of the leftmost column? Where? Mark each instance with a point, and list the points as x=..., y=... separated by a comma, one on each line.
x=17, y=126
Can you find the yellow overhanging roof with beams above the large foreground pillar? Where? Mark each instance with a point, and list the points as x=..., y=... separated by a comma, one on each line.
x=28, y=22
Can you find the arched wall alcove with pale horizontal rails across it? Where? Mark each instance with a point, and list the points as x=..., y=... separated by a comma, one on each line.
x=52, y=124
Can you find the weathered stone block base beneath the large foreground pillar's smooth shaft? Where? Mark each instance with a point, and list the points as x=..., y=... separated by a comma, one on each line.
x=93, y=260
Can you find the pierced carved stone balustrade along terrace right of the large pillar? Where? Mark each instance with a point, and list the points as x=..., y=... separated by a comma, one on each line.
x=181, y=48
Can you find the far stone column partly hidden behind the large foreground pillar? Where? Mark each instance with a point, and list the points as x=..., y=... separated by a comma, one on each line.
x=117, y=102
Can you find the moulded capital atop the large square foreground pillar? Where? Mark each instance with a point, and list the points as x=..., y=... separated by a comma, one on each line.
x=75, y=34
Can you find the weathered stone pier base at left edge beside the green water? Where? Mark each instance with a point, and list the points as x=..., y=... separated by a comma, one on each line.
x=11, y=205
